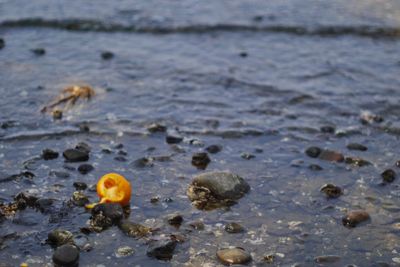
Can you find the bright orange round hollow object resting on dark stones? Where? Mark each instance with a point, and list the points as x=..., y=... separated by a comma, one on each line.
x=114, y=188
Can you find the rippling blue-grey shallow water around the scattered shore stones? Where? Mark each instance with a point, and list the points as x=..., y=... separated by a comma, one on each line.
x=308, y=64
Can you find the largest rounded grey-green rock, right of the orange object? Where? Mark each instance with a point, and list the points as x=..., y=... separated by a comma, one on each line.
x=216, y=189
